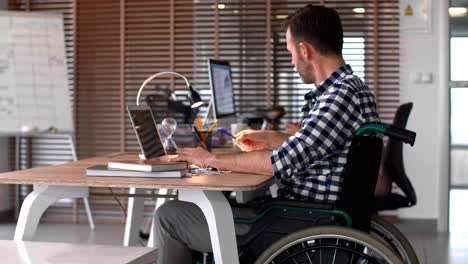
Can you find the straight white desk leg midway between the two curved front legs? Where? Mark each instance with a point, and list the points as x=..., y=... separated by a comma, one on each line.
x=135, y=210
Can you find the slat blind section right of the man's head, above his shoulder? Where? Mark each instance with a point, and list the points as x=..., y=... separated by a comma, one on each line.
x=378, y=28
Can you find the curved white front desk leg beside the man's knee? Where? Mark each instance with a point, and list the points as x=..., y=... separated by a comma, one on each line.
x=218, y=214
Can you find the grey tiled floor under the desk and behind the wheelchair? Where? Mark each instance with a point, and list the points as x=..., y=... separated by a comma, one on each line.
x=431, y=248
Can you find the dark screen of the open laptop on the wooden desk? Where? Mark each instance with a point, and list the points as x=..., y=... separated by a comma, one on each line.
x=145, y=129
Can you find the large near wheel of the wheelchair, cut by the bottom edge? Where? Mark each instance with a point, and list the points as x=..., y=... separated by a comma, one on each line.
x=328, y=244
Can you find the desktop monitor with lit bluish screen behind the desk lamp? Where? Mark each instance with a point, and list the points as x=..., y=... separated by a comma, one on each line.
x=221, y=88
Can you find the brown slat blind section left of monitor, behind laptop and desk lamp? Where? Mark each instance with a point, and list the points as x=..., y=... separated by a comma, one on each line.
x=118, y=44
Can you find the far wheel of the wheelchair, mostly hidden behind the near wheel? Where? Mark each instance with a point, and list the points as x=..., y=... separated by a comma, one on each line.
x=394, y=239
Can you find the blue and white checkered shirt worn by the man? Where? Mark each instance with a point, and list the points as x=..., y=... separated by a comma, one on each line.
x=310, y=163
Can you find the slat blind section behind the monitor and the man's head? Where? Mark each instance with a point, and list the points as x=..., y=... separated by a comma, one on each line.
x=371, y=47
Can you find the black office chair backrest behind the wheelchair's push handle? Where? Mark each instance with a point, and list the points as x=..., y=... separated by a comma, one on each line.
x=394, y=168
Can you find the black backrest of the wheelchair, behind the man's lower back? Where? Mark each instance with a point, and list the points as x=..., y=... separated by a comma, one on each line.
x=362, y=169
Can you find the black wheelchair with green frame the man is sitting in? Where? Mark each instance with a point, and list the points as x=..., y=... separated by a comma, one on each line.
x=290, y=231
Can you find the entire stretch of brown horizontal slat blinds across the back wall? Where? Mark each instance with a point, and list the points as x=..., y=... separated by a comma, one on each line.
x=113, y=46
